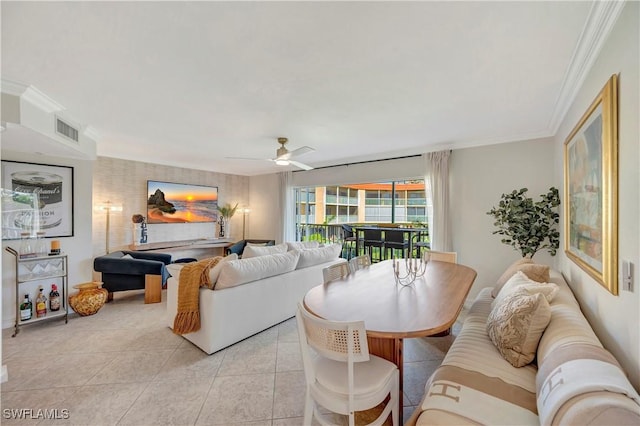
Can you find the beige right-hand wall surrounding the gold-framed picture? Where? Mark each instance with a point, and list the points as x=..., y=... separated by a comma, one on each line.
x=616, y=319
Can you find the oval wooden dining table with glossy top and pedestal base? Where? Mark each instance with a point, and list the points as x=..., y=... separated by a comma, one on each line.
x=392, y=311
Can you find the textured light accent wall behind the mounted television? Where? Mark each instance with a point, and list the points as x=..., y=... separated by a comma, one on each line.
x=124, y=182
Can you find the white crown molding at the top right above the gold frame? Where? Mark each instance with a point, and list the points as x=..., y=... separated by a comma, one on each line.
x=602, y=17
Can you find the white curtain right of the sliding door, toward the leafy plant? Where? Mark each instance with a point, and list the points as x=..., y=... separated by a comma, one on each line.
x=436, y=181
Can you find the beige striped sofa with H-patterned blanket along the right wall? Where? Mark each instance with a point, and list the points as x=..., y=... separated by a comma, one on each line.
x=574, y=381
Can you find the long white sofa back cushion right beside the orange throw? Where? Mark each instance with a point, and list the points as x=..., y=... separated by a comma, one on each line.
x=242, y=271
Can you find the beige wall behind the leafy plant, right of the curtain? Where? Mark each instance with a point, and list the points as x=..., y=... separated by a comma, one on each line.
x=479, y=176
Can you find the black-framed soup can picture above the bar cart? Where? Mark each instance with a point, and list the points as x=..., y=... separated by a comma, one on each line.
x=36, y=197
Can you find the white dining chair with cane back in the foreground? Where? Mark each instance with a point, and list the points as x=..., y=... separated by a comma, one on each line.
x=343, y=377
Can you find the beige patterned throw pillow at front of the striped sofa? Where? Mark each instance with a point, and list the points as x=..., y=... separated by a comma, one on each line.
x=516, y=324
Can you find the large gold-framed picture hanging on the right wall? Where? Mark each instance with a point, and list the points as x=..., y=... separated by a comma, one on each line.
x=591, y=189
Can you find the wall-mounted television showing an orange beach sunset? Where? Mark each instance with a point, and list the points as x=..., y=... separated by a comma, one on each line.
x=179, y=203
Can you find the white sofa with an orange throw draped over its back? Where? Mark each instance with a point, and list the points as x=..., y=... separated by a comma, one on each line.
x=253, y=298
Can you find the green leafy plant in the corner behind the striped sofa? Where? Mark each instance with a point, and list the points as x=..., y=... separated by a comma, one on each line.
x=529, y=226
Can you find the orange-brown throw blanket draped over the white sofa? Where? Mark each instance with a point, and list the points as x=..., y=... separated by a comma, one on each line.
x=192, y=276
